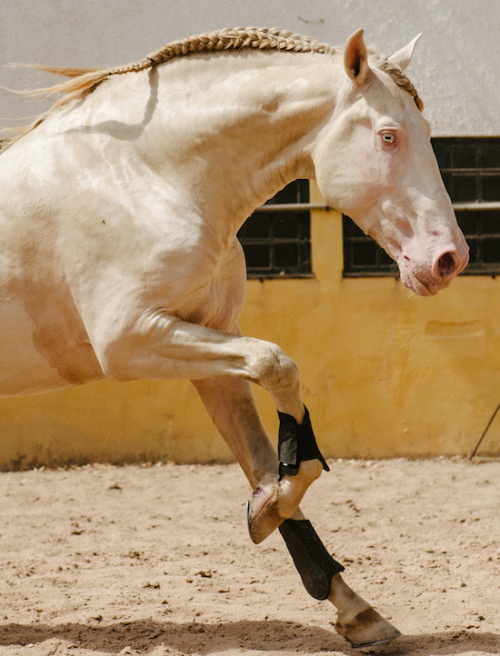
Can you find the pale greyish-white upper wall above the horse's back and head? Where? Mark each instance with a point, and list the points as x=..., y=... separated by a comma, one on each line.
x=456, y=68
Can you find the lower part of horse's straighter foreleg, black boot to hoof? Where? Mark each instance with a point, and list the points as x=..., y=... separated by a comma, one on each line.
x=356, y=621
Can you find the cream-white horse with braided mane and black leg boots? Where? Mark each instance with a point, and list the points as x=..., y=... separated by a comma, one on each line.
x=119, y=210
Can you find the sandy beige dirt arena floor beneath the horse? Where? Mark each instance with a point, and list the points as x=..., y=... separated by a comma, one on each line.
x=156, y=560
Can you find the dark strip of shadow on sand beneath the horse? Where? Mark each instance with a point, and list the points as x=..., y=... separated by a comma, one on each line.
x=251, y=635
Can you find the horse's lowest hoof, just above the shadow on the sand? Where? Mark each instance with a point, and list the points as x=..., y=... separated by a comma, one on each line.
x=367, y=629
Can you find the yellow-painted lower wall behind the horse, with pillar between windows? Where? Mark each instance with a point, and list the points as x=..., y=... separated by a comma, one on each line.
x=385, y=373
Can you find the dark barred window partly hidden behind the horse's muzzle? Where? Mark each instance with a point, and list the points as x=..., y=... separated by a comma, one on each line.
x=470, y=167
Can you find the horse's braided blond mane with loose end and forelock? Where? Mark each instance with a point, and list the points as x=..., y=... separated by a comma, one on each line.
x=82, y=81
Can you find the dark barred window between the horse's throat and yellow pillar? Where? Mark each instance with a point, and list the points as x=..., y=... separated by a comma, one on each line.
x=277, y=237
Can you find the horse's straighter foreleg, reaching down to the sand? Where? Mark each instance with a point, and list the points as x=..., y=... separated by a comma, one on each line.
x=231, y=406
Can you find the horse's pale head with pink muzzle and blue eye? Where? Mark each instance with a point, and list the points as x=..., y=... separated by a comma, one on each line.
x=375, y=163
